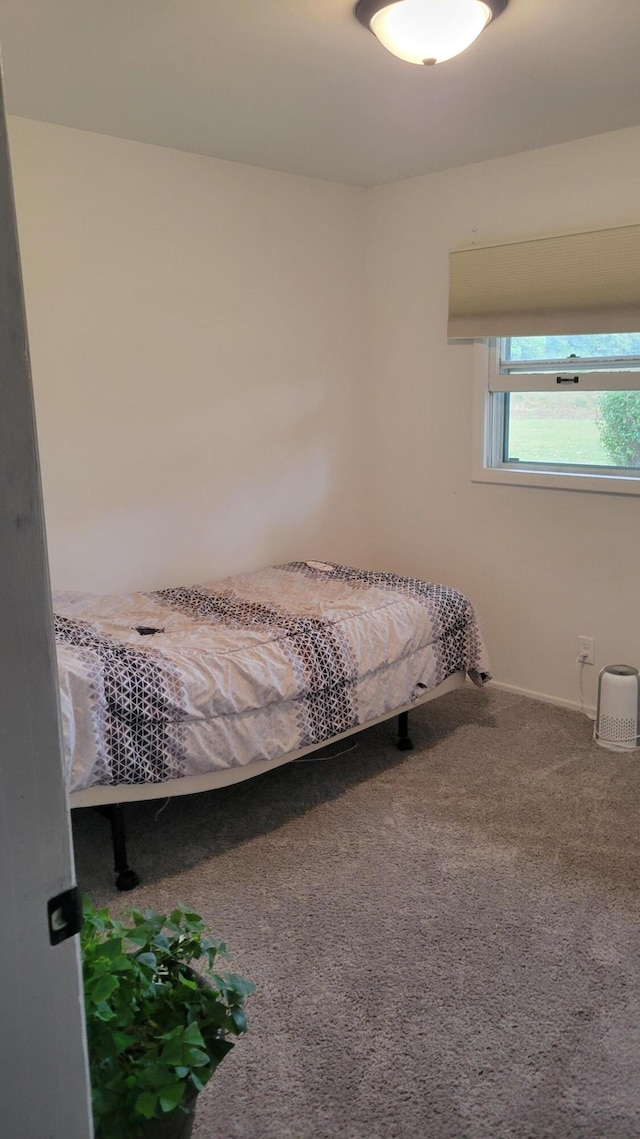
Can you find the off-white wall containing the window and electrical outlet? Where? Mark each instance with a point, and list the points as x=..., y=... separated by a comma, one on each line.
x=543, y=567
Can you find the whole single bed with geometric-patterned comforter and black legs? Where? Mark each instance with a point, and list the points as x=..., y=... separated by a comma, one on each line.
x=186, y=690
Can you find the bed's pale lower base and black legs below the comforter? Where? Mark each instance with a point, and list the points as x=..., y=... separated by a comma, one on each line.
x=110, y=801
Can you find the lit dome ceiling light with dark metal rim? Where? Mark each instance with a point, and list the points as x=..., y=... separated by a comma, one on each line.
x=428, y=31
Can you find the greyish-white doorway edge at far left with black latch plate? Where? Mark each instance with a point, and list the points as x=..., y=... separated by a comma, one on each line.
x=44, y=1084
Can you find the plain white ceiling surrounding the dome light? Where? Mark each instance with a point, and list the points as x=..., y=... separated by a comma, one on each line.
x=300, y=86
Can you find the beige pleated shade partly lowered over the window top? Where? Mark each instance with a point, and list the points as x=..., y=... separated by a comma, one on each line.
x=577, y=283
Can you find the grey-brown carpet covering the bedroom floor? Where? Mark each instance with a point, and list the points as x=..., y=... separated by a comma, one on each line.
x=446, y=943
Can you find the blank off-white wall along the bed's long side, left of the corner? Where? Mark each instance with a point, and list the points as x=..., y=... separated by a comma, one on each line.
x=196, y=339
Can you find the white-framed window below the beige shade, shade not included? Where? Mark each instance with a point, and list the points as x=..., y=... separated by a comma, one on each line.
x=562, y=412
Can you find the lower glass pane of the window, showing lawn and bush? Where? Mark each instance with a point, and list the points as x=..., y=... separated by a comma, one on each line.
x=584, y=429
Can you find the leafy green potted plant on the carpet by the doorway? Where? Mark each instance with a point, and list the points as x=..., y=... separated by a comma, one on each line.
x=157, y=1028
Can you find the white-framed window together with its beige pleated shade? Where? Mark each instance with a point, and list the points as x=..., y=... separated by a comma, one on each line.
x=557, y=373
